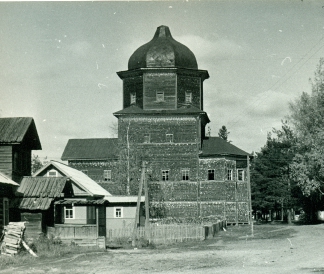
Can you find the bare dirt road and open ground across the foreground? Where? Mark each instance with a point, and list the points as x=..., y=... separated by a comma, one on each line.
x=273, y=249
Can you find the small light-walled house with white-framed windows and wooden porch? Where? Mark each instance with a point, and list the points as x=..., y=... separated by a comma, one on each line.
x=67, y=203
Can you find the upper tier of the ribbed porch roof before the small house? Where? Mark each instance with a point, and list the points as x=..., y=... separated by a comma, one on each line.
x=42, y=187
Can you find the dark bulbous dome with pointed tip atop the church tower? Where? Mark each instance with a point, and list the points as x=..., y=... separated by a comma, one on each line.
x=162, y=51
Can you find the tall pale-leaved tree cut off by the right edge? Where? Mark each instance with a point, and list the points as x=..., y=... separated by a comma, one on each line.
x=307, y=117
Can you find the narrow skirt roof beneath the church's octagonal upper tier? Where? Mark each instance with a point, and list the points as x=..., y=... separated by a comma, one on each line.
x=186, y=109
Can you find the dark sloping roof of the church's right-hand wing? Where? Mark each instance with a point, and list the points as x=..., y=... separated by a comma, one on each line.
x=218, y=146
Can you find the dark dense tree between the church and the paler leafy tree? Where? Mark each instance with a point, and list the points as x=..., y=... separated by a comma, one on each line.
x=272, y=187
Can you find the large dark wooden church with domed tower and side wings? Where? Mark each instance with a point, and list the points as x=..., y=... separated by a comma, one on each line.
x=163, y=122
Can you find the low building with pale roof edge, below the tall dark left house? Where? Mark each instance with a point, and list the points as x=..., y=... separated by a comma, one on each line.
x=7, y=190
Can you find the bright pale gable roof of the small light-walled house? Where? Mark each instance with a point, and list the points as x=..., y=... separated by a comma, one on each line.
x=78, y=177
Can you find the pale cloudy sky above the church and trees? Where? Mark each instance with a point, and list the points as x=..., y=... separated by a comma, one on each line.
x=59, y=62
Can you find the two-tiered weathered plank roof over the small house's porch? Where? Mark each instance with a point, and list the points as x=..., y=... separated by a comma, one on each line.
x=39, y=192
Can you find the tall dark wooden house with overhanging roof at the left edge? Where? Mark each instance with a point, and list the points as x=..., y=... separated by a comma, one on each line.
x=18, y=137
